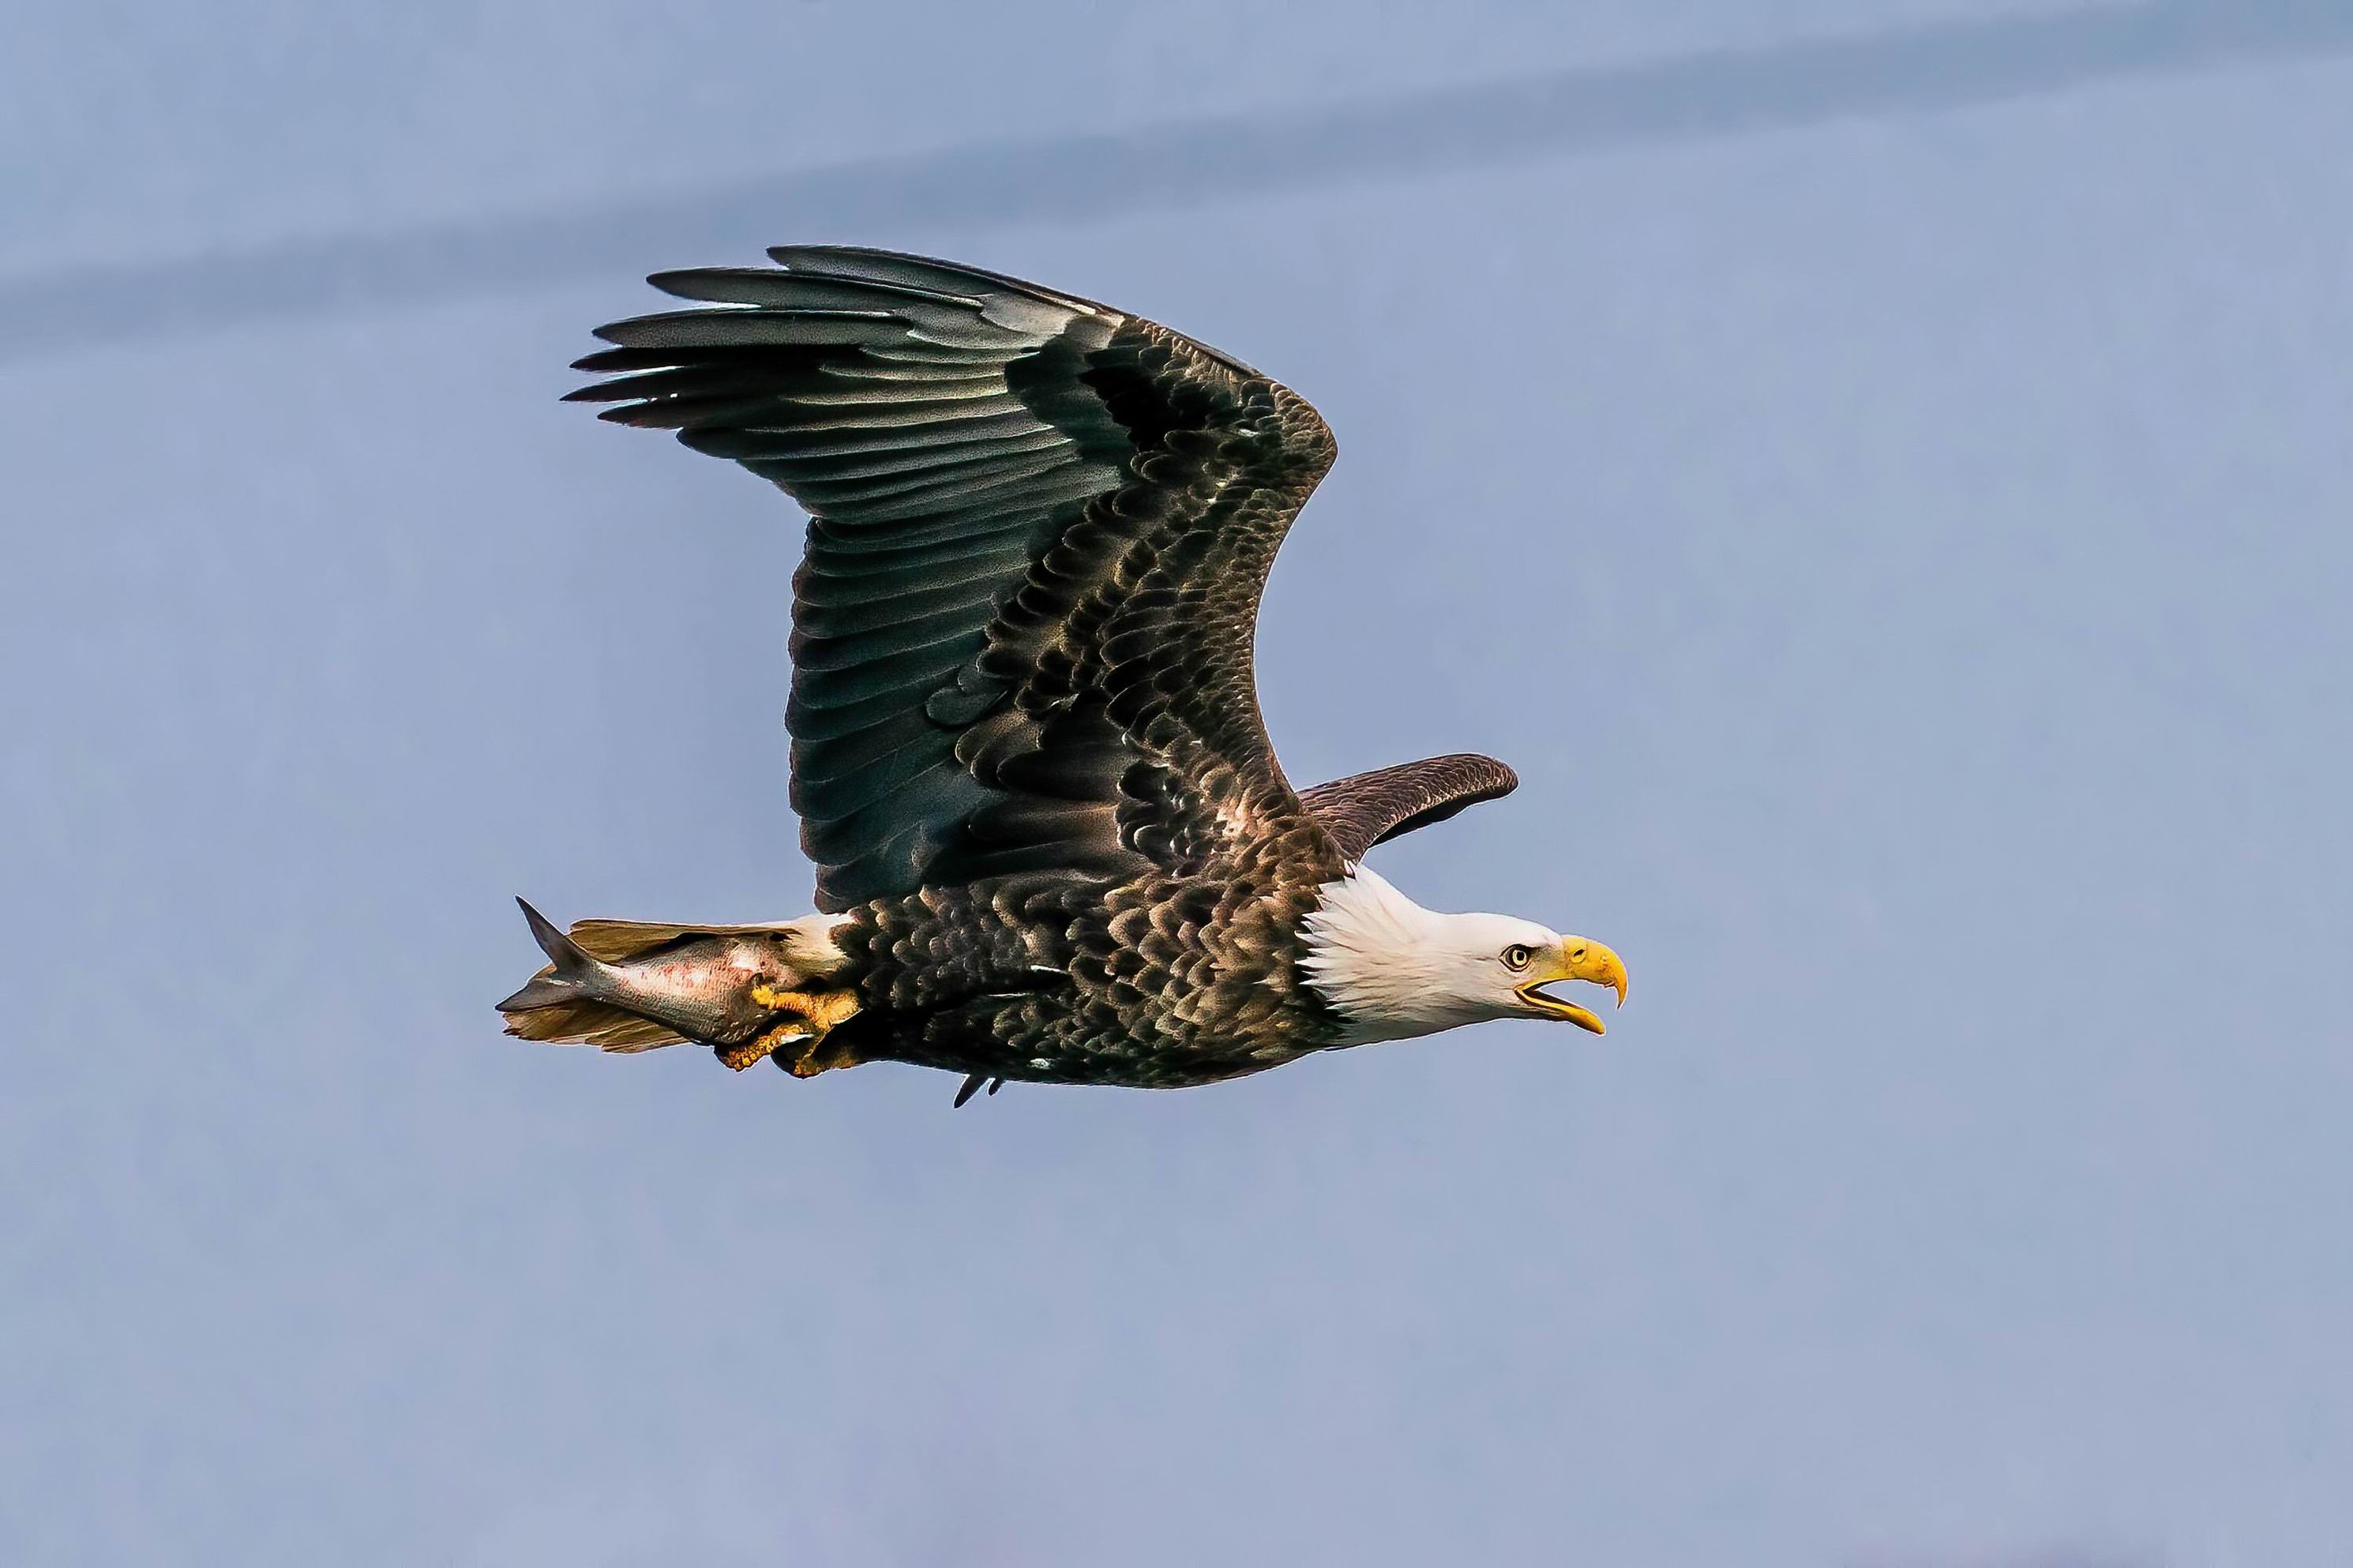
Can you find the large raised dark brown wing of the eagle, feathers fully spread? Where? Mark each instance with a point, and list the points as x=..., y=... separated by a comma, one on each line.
x=1039, y=531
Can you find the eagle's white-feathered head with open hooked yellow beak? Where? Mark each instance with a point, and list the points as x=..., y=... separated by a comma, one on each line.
x=1394, y=969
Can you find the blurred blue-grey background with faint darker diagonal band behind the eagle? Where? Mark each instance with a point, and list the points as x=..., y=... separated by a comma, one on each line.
x=1877, y=467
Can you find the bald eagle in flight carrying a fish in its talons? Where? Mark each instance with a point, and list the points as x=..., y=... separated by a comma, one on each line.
x=1051, y=835
